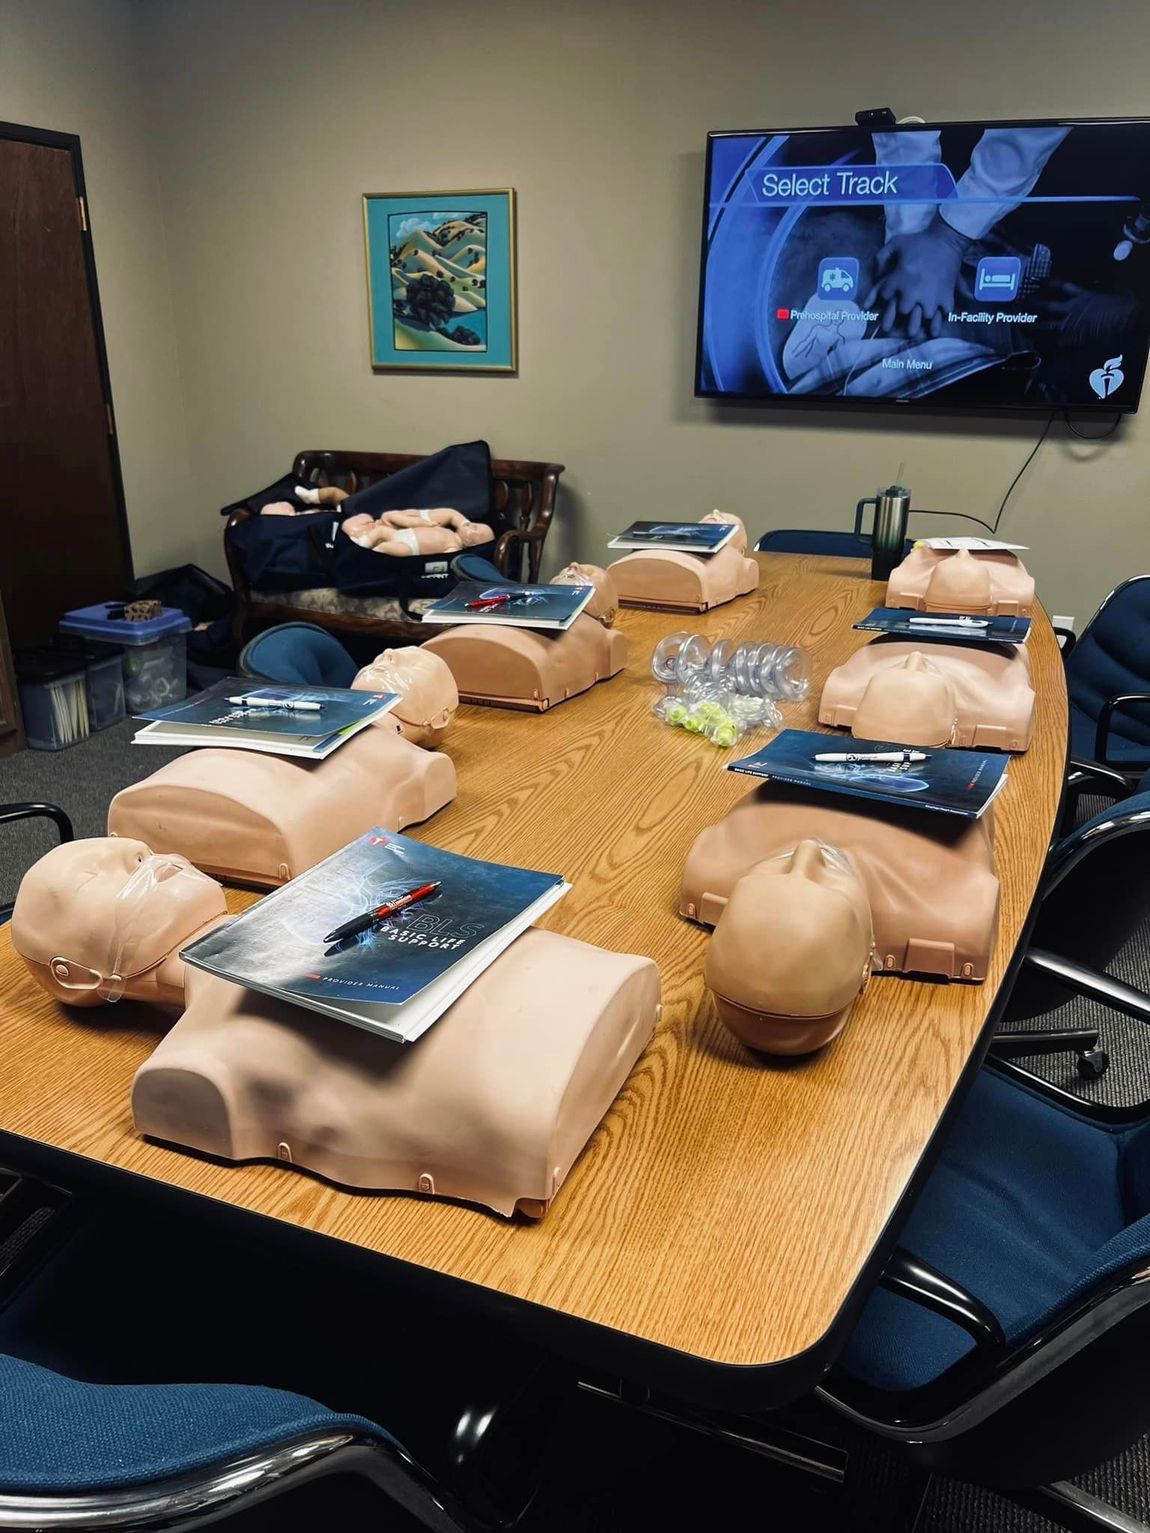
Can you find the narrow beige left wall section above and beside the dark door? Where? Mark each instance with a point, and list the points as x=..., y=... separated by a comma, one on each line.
x=77, y=67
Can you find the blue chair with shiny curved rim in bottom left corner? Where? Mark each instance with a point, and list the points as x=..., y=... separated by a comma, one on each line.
x=143, y=1457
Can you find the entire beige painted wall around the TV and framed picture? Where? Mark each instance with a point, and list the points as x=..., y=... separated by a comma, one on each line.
x=272, y=117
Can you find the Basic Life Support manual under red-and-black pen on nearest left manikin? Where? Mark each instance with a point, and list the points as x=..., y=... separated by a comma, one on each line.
x=399, y=974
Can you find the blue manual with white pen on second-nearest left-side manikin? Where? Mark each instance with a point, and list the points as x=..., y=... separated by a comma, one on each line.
x=291, y=721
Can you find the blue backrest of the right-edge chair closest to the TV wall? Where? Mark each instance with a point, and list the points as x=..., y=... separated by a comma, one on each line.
x=1112, y=657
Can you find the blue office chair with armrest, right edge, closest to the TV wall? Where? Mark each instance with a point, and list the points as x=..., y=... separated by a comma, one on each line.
x=1108, y=678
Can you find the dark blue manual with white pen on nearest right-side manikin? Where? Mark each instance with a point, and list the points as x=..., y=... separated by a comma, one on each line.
x=945, y=783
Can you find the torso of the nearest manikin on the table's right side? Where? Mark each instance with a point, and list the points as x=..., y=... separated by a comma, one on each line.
x=930, y=884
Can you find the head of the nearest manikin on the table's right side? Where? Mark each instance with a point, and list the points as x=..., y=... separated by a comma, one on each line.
x=792, y=951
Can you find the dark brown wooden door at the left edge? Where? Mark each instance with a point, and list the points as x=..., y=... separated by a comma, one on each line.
x=64, y=540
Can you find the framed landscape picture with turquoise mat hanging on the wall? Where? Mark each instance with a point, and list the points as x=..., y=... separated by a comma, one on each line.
x=442, y=281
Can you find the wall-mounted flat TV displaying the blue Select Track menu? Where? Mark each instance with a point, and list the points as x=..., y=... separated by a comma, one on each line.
x=973, y=266
